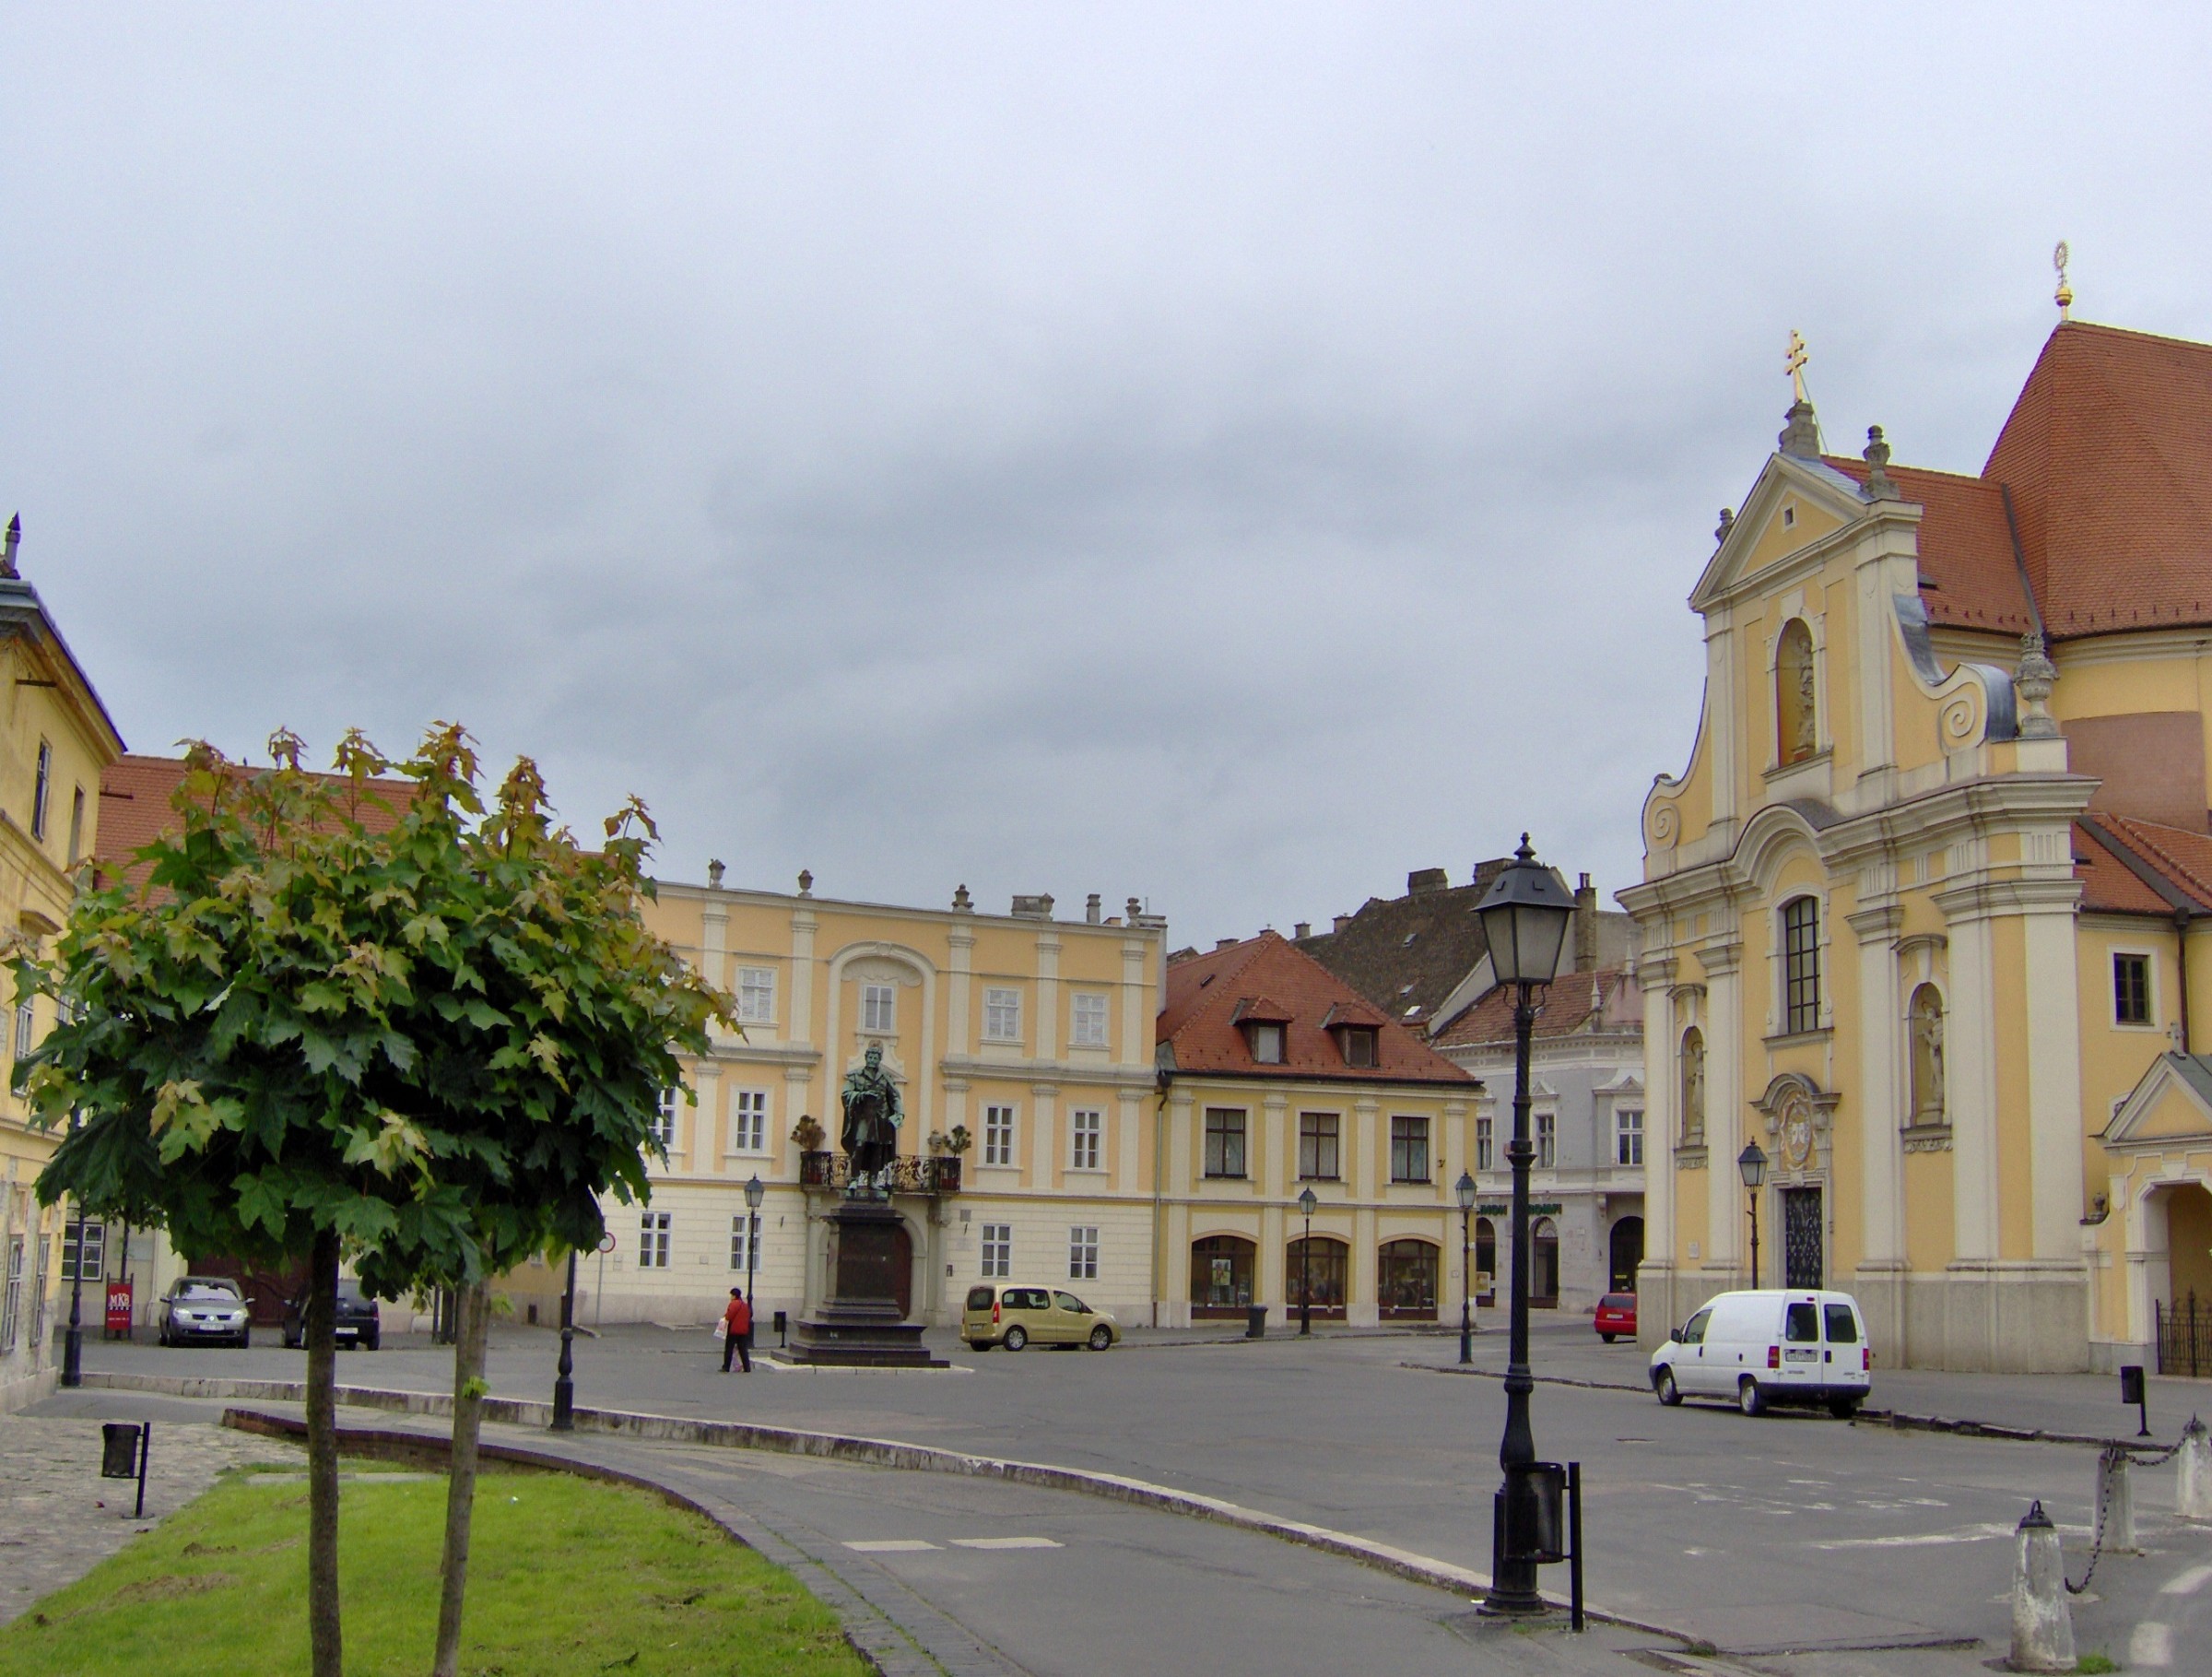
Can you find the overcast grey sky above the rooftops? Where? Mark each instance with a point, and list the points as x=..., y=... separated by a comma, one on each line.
x=1218, y=455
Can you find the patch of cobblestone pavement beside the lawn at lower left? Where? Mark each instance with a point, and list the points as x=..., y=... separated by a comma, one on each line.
x=59, y=1519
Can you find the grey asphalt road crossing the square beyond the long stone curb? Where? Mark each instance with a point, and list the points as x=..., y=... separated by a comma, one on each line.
x=1768, y=1534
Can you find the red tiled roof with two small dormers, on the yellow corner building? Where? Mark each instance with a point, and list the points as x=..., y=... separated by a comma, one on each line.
x=1209, y=992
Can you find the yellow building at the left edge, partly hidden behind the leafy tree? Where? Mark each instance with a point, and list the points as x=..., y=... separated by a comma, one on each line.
x=54, y=742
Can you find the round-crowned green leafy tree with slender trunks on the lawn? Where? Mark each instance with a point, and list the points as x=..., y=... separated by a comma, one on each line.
x=428, y=1037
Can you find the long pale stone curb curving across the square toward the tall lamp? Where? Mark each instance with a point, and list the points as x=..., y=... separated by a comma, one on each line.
x=881, y=1452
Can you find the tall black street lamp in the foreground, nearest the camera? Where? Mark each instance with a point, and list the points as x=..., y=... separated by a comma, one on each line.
x=1525, y=919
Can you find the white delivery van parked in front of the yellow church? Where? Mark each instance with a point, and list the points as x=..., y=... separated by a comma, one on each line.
x=1771, y=1346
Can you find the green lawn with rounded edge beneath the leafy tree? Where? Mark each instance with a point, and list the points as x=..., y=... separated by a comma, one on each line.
x=565, y=1576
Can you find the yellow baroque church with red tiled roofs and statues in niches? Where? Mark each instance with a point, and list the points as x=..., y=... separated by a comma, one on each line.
x=1917, y=919
